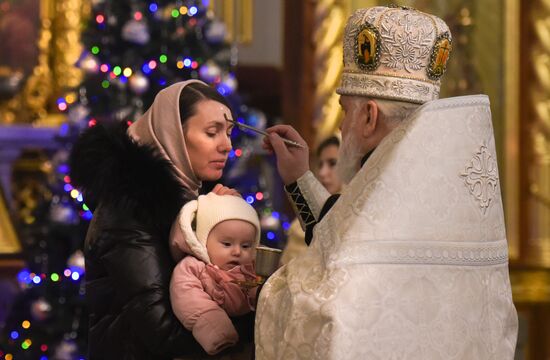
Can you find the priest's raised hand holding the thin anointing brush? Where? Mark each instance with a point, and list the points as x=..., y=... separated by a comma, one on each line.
x=292, y=161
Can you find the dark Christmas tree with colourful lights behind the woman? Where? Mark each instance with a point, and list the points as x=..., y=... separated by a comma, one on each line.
x=133, y=49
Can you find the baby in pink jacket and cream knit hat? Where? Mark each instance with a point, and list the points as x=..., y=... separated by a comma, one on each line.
x=221, y=233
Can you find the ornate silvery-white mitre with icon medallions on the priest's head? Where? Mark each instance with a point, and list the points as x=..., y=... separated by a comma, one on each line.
x=394, y=53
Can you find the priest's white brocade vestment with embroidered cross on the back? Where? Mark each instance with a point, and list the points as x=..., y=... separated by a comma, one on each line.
x=412, y=260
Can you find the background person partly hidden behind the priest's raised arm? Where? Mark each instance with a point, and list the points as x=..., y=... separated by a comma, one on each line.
x=327, y=155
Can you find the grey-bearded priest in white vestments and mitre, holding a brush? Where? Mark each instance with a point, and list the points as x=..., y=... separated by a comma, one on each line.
x=411, y=261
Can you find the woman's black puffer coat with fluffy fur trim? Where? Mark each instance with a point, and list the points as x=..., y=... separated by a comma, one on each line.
x=128, y=263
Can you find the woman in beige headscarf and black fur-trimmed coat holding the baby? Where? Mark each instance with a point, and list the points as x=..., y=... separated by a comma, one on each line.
x=140, y=177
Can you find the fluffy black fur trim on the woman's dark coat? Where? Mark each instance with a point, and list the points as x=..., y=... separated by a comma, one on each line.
x=111, y=169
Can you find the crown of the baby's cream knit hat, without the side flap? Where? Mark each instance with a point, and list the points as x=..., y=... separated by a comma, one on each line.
x=212, y=209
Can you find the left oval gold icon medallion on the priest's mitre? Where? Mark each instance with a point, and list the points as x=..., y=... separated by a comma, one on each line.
x=367, y=47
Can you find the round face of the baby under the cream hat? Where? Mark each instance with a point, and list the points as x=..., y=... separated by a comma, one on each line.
x=231, y=243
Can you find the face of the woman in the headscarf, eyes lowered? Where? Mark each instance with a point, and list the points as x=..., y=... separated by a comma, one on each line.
x=207, y=136
